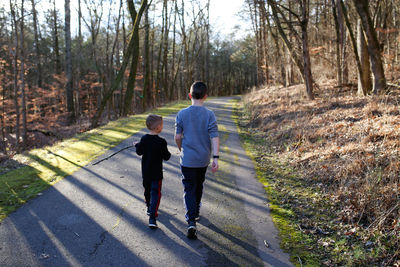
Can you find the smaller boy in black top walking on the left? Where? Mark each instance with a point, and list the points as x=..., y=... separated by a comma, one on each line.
x=154, y=150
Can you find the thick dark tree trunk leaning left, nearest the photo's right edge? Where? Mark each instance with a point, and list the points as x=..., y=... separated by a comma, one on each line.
x=372, y=45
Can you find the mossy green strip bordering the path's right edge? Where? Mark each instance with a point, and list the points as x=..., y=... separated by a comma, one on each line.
x=287, y=193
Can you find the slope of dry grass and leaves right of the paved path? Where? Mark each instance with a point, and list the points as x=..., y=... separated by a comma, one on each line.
x=332, y=169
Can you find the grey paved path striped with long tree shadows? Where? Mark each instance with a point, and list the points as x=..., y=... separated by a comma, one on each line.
x=96, y=217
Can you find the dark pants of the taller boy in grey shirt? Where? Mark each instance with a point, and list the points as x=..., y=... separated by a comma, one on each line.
x=192, y=180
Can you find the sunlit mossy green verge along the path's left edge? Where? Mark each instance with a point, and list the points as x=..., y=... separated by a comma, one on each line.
x=40, y=168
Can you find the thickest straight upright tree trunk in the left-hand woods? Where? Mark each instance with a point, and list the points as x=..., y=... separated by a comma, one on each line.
x=68, y=65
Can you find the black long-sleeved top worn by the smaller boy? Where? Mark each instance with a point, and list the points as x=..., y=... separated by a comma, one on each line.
x=154, y=150
